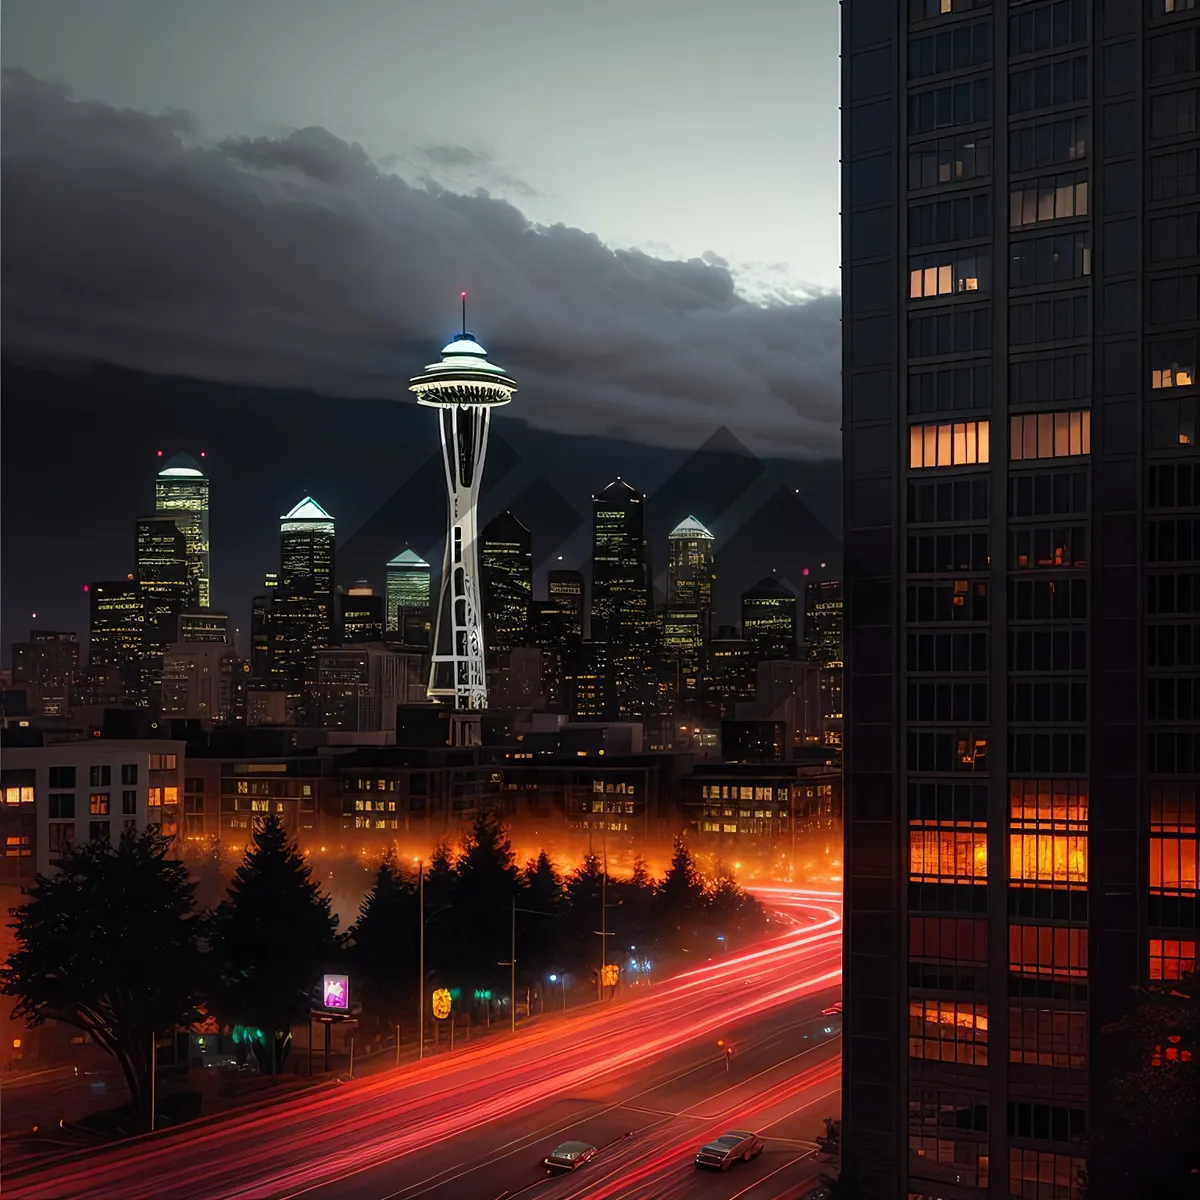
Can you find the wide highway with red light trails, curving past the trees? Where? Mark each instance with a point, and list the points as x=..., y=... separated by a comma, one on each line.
x=645, y=1081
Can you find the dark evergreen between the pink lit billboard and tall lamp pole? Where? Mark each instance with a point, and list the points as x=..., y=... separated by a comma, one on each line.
x=385, y=944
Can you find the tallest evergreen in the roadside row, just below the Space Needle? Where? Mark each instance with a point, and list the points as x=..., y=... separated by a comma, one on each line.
x=483, y=907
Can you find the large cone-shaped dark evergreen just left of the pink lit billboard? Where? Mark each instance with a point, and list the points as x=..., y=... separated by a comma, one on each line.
x=275, y=937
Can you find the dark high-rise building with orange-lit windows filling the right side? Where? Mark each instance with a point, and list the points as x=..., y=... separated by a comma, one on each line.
x=1021, y=287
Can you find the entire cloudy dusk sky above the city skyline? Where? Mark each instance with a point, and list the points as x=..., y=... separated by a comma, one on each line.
x=242, y=229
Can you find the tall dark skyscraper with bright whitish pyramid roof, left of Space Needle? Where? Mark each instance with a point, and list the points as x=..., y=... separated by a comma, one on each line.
x=303, y=605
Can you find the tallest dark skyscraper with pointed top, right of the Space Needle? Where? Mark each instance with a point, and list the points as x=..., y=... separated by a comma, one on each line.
x=620, y=586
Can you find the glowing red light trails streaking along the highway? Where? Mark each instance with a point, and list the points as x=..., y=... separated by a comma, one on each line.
x=331, y=1135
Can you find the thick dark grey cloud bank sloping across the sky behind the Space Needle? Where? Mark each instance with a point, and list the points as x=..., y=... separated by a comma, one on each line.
x=296, y=263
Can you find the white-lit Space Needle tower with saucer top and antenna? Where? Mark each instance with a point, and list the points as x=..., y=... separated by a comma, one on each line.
x=465, y=388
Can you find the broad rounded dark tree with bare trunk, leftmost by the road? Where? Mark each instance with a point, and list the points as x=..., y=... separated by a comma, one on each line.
x=111, y=945
